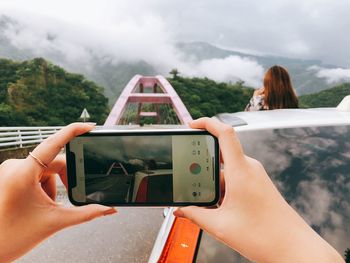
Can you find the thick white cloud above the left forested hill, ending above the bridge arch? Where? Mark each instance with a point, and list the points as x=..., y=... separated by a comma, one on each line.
x=144, y=38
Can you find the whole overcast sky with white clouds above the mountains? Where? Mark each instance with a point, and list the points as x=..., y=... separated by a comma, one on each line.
x=133, y=30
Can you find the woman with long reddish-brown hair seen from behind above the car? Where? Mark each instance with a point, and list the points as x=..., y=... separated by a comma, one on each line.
x=277, y=92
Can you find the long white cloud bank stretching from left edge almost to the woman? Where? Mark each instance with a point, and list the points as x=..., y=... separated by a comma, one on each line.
x=144, y=37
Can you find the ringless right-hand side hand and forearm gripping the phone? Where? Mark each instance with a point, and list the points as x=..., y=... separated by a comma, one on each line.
x=253, y=217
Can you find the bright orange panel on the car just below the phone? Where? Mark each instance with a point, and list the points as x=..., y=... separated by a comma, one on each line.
x=181, y=243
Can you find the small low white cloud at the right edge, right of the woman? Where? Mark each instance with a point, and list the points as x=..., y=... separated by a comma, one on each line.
x=332, y=75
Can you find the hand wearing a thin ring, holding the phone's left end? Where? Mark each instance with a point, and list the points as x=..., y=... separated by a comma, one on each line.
x=28, y=212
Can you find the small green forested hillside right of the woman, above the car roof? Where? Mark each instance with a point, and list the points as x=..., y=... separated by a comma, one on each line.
x=325, y=98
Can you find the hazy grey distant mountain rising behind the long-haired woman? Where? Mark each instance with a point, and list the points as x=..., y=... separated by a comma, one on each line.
x=308, y=76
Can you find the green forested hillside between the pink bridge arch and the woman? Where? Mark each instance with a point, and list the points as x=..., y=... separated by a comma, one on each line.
x=205, y=97
